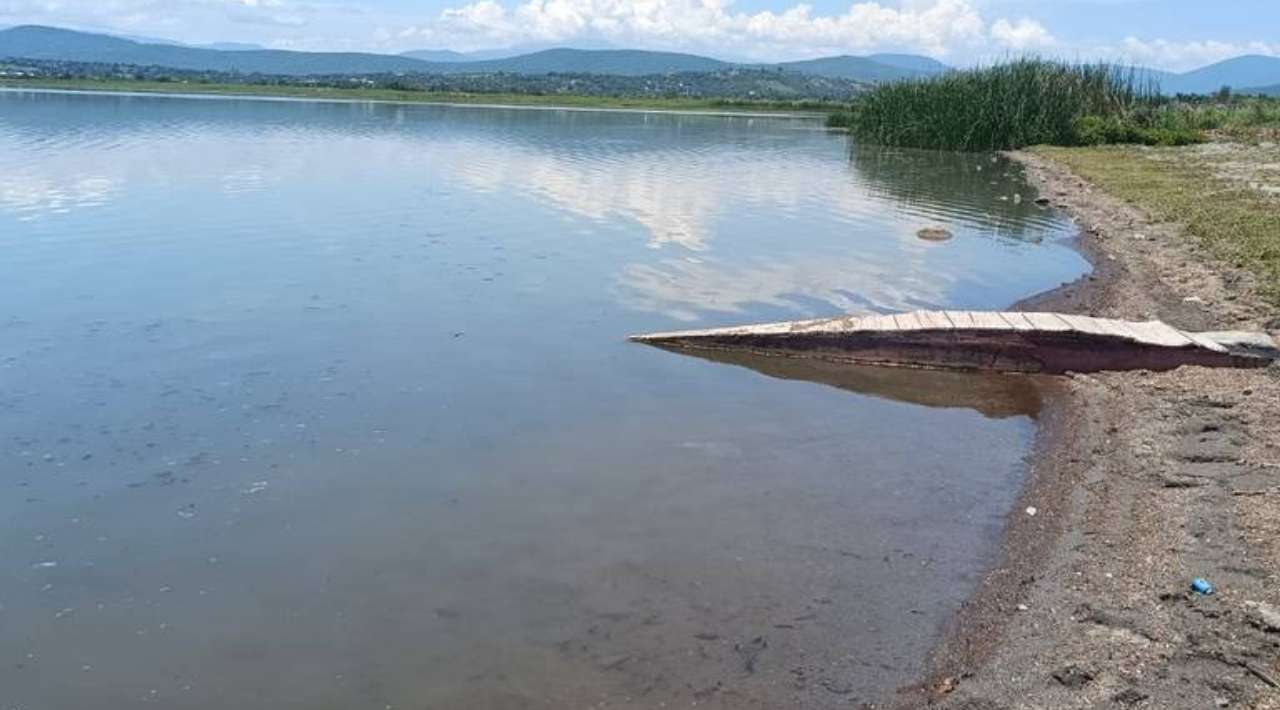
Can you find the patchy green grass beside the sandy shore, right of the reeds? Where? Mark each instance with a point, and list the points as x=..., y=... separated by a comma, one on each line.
x=1227, y=196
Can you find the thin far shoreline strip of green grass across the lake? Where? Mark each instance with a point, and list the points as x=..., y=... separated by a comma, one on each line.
x=534, y=104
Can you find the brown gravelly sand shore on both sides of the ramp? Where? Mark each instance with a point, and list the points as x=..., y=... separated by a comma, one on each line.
x=1141, y=483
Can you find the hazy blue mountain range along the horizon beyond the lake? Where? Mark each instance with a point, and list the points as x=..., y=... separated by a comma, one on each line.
x=1244, y=74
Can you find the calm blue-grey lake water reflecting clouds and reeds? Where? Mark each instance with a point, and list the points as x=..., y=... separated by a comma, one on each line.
x=313, y=405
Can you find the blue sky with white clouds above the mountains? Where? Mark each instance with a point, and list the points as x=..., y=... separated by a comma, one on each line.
x=1165, y=34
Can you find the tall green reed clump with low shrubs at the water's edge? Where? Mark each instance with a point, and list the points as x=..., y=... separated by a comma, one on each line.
x=1030, y=103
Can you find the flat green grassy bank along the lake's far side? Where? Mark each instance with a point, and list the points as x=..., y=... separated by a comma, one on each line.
x=673, y=104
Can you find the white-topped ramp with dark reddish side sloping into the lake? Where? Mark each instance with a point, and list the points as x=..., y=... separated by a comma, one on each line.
x=1002, y=342
